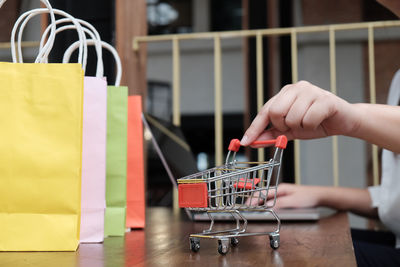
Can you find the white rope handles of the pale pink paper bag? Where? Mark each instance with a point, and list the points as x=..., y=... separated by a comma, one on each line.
x=92, y=32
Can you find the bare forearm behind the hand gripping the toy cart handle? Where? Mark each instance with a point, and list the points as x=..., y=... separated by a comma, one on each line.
x=380, y=125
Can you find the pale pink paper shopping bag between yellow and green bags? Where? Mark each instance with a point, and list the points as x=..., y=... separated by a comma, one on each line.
x=94, y=160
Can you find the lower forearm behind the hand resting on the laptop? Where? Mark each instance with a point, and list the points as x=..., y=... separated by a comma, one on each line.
x=355, y=200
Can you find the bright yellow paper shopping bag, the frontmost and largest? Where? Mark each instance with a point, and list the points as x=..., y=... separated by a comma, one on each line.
x=40, y=156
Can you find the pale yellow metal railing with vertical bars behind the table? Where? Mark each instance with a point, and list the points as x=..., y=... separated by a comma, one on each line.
x=259, y=34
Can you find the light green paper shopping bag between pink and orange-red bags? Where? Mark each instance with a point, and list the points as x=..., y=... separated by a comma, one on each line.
x=117, y=112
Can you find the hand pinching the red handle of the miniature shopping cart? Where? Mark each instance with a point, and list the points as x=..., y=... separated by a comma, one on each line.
x=303, y=111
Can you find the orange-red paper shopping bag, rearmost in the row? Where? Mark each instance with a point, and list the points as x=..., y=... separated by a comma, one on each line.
x=135, y=214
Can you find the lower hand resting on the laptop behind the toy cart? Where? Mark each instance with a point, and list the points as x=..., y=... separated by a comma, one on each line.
x=291, y=196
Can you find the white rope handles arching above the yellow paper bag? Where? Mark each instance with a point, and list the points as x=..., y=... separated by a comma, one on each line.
x=43, y=53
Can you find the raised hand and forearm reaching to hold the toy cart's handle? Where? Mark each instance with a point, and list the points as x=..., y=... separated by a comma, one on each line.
x=304, y=111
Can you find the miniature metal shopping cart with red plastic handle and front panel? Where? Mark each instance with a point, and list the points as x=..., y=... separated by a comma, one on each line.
x=233, y=188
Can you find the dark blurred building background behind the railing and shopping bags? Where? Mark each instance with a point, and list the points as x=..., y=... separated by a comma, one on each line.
x=149, y=72
